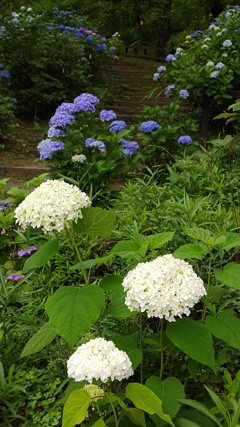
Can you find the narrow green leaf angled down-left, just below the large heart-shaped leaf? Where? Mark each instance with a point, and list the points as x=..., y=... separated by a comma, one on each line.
x=44, y=336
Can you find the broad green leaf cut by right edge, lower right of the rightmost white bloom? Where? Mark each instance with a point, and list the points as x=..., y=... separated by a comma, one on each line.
x=225, y=326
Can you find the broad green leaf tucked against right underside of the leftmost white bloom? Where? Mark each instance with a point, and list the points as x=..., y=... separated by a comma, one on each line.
x=95, y=222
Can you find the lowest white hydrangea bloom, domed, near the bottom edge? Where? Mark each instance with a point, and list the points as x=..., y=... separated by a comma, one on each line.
x=99, y=359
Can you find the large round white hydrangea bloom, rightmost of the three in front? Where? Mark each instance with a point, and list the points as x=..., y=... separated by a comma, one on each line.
x=164, y=288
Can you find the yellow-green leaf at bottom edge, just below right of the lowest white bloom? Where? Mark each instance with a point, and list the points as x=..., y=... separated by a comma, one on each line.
x=145, y=399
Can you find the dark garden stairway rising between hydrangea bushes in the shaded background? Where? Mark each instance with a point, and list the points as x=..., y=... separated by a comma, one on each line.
x=132, y=80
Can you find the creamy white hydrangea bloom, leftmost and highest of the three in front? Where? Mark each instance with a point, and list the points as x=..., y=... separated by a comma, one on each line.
x=51, y=206
